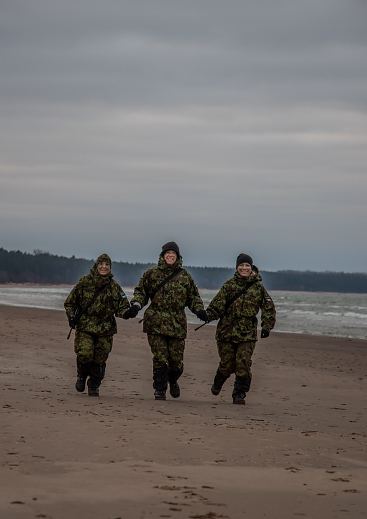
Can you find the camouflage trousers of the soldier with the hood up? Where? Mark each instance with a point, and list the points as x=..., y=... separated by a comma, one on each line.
x=92, y=348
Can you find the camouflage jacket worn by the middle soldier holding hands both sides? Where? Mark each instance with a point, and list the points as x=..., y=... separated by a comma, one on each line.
x=166, y=312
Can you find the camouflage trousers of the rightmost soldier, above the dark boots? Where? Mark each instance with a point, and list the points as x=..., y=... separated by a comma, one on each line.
x=236, y=358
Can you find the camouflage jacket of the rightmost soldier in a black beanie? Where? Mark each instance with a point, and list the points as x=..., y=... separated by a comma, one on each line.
x=238, y=321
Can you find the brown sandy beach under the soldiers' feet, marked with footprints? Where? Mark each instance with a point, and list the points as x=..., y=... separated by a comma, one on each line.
x=297, y=449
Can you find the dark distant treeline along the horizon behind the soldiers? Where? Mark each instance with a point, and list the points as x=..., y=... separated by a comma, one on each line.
x=45, y=268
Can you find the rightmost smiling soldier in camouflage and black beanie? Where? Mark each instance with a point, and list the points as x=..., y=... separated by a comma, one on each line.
x=236, y=306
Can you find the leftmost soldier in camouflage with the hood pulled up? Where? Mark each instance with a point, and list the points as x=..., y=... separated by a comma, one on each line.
x=91, y=308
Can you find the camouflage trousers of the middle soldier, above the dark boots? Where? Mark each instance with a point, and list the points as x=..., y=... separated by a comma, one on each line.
x=167, y=351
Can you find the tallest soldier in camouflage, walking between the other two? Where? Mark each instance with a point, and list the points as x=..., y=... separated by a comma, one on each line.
x=170, y=289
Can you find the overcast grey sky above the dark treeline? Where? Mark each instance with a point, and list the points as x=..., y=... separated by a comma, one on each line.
x=226, y=126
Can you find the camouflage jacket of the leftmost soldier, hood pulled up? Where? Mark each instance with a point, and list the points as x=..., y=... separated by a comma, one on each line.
x=108, y=298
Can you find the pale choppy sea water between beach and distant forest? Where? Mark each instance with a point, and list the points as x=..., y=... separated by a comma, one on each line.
x=315, y=313
